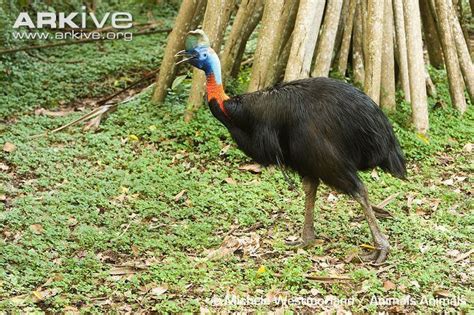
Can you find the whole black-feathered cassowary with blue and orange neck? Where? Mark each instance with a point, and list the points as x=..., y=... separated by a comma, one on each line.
x=323, y=129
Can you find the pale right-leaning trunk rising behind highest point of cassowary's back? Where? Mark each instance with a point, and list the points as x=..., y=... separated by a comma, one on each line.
x=325, y=45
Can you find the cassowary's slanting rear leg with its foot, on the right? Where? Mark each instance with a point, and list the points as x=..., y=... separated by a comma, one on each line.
x=380, y=241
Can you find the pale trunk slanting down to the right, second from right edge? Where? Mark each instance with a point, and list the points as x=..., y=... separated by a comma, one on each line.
x=456, y=89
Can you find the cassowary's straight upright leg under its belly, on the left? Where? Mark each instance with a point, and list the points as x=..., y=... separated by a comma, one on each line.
x=310, y=186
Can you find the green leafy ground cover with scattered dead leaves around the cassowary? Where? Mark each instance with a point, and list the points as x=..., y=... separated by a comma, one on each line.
x=151, y=213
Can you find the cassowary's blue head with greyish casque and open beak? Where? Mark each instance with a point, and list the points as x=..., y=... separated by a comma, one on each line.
x=198, y=53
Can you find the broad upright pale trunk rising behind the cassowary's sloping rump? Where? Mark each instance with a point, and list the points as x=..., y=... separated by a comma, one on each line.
x=374, y=49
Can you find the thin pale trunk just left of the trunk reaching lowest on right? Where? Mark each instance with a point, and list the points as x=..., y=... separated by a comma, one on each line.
x=401, y=51
